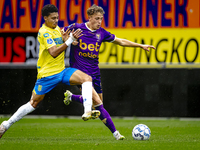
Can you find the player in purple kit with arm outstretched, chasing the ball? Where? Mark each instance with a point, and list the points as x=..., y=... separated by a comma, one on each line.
x=84, y=55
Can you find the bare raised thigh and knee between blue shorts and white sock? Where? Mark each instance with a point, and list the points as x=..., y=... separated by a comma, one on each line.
x=79, y=77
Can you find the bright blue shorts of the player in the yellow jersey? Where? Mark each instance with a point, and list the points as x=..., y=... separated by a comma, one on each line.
x=46, y=84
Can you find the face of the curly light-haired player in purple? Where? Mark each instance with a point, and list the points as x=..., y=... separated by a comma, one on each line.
x=95, y=21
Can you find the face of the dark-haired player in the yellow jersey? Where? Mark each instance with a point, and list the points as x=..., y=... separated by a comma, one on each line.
x=51, y=21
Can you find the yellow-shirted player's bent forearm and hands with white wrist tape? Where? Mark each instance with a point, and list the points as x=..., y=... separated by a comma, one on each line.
x=68, y=37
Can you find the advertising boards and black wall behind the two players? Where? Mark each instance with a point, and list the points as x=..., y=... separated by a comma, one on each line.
x=161, y=83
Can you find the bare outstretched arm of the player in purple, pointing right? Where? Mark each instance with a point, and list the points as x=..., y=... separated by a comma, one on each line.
x=127, y=43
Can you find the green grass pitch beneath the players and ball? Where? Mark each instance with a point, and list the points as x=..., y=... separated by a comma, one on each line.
x=72, y=134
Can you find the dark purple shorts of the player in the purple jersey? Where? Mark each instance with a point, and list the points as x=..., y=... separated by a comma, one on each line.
x=96, y=82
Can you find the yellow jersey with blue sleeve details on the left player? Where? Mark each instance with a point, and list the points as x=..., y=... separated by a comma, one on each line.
x=47, y=65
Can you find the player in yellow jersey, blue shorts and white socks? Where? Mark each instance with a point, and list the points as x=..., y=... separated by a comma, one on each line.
x=51, y=69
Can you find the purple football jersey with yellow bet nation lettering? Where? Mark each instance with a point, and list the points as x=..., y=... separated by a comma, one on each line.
x=85, y=55
